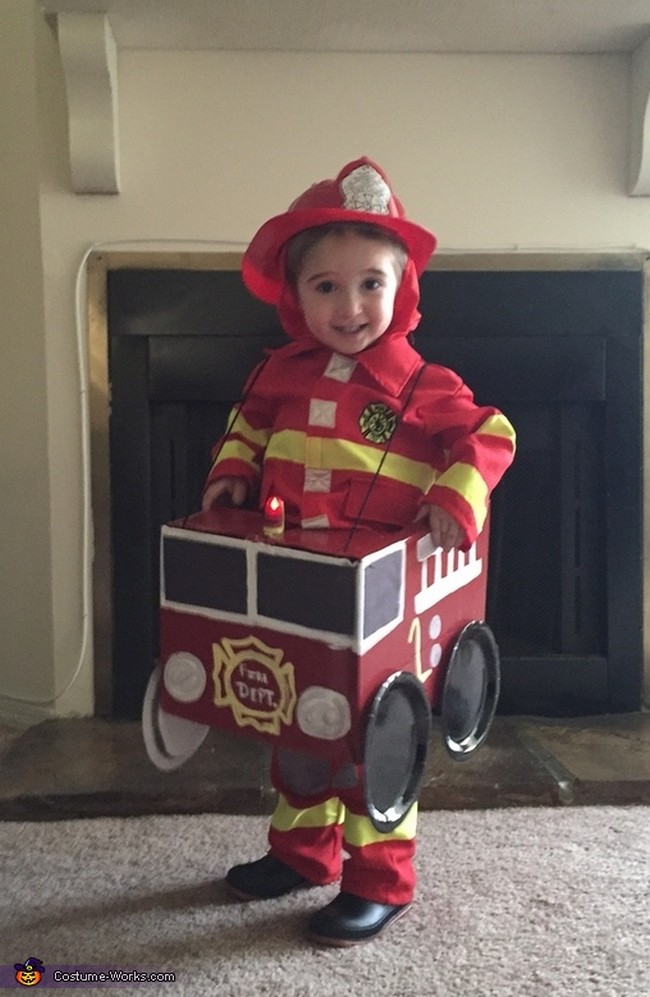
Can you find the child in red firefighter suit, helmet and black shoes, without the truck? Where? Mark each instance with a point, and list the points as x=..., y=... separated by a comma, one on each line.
x=318, y=415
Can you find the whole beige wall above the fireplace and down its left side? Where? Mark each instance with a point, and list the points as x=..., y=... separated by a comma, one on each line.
x=493, y=152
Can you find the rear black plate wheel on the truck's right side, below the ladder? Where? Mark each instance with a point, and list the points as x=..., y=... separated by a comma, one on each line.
x=471, y=691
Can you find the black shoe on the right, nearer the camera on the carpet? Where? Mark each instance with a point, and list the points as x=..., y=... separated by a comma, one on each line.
x=349, y=920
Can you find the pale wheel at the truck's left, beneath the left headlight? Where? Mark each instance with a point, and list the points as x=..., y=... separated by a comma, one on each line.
x=170, y=741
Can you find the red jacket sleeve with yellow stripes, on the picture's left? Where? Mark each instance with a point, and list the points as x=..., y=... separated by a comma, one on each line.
x=240, y=451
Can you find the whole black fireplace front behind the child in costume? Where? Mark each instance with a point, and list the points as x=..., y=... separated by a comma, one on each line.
x=556, y=342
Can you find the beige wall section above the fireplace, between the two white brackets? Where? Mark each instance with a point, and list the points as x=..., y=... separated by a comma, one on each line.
x=491, y=151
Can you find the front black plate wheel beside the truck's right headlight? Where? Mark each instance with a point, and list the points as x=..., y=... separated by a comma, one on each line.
x=396, y=741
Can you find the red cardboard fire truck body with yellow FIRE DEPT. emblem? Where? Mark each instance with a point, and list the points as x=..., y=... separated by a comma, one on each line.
x=289, y=640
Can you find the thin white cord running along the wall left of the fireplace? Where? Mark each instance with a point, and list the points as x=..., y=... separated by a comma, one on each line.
x=87, y=524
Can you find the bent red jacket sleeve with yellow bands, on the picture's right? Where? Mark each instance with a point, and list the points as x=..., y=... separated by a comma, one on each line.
x=478, y=443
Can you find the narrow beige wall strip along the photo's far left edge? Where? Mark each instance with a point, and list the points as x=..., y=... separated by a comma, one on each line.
x=26, y=644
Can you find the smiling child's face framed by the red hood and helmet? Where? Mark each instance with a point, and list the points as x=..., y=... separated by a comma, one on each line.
x=346, y=288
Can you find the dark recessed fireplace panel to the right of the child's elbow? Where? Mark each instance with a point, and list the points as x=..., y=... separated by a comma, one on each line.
x=548, y=592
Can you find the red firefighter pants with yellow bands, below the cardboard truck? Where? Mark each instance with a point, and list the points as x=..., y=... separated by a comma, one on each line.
x=309, y=832
